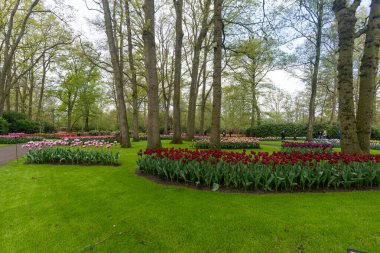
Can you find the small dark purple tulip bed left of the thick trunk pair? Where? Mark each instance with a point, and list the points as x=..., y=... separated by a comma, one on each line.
x=304, y=147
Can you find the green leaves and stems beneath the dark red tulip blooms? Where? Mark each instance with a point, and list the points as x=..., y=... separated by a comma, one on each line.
x=266, y=177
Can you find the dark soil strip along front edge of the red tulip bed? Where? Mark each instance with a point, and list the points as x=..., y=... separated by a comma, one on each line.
x=163, y=181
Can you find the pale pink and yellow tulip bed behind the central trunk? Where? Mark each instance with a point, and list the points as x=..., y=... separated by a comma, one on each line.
x=230, y=143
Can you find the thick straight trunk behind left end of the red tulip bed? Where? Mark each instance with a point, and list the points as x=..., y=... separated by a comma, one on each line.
x=150, y=59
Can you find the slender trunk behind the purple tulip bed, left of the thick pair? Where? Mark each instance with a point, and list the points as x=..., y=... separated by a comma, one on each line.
x=314, y=79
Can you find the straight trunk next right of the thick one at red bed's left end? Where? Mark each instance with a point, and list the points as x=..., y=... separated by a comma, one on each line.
x=177, y=137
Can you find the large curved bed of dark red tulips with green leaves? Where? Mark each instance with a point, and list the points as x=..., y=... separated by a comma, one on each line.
x=279, y=171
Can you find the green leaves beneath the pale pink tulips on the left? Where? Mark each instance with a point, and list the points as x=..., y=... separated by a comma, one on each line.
x=61, y=155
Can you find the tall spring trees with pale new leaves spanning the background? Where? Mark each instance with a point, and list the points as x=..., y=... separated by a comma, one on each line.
x=162, y=63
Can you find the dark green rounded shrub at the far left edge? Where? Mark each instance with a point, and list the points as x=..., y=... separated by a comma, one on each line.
x=20, y=123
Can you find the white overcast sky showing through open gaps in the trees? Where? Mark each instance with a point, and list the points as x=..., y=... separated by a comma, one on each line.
x=280, y=78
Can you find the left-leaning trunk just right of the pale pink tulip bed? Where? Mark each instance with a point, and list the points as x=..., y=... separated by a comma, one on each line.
x=117, y=75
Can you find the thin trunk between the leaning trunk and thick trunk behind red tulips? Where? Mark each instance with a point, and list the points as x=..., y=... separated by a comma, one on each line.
x=135, y=107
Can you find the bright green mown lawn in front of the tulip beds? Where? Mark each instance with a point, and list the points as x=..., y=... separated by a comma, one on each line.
x=45, y=208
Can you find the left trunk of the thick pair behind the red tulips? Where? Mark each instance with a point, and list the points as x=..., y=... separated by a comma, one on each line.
x=346, y=31
